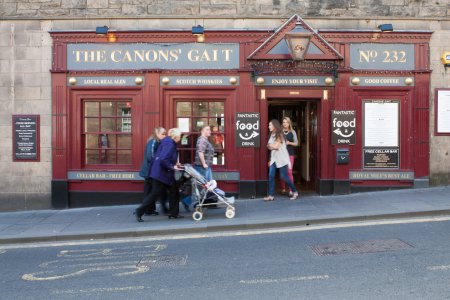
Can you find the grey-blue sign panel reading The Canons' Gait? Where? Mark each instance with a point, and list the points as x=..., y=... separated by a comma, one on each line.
x=185, y=56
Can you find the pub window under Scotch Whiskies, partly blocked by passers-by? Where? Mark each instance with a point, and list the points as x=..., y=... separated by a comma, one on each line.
x=191, y=117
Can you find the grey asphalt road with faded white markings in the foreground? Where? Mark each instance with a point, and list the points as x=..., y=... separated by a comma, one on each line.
x=406, y=261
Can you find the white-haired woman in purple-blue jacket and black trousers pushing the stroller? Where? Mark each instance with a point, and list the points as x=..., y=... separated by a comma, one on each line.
x=162, y=173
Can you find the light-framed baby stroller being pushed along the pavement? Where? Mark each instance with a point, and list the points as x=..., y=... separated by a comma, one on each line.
x=206, y=194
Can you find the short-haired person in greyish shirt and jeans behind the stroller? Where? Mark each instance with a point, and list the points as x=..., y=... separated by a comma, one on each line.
x=204, y=153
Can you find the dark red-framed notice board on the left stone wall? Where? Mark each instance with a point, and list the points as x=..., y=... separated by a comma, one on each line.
x=25, y=137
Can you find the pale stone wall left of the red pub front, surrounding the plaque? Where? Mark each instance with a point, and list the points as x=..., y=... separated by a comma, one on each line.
x=25, y=88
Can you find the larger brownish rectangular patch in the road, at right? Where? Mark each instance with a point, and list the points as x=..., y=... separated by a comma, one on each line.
x=371, y=246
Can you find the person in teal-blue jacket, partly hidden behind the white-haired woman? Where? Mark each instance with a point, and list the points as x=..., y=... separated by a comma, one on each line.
x=149, y=152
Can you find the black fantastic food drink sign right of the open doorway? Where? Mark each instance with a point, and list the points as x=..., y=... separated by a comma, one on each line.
x=343, y=127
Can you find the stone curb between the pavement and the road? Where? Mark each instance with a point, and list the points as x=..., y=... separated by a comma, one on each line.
x=216, y=228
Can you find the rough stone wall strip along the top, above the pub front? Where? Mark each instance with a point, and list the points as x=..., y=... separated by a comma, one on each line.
x=224, y=8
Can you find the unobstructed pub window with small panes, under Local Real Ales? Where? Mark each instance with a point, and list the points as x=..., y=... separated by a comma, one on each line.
x=107, y=132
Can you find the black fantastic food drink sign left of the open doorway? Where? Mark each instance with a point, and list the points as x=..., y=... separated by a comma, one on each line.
x=248, y=129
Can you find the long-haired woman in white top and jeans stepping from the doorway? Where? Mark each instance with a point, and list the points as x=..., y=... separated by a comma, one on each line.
x=279, y=159
